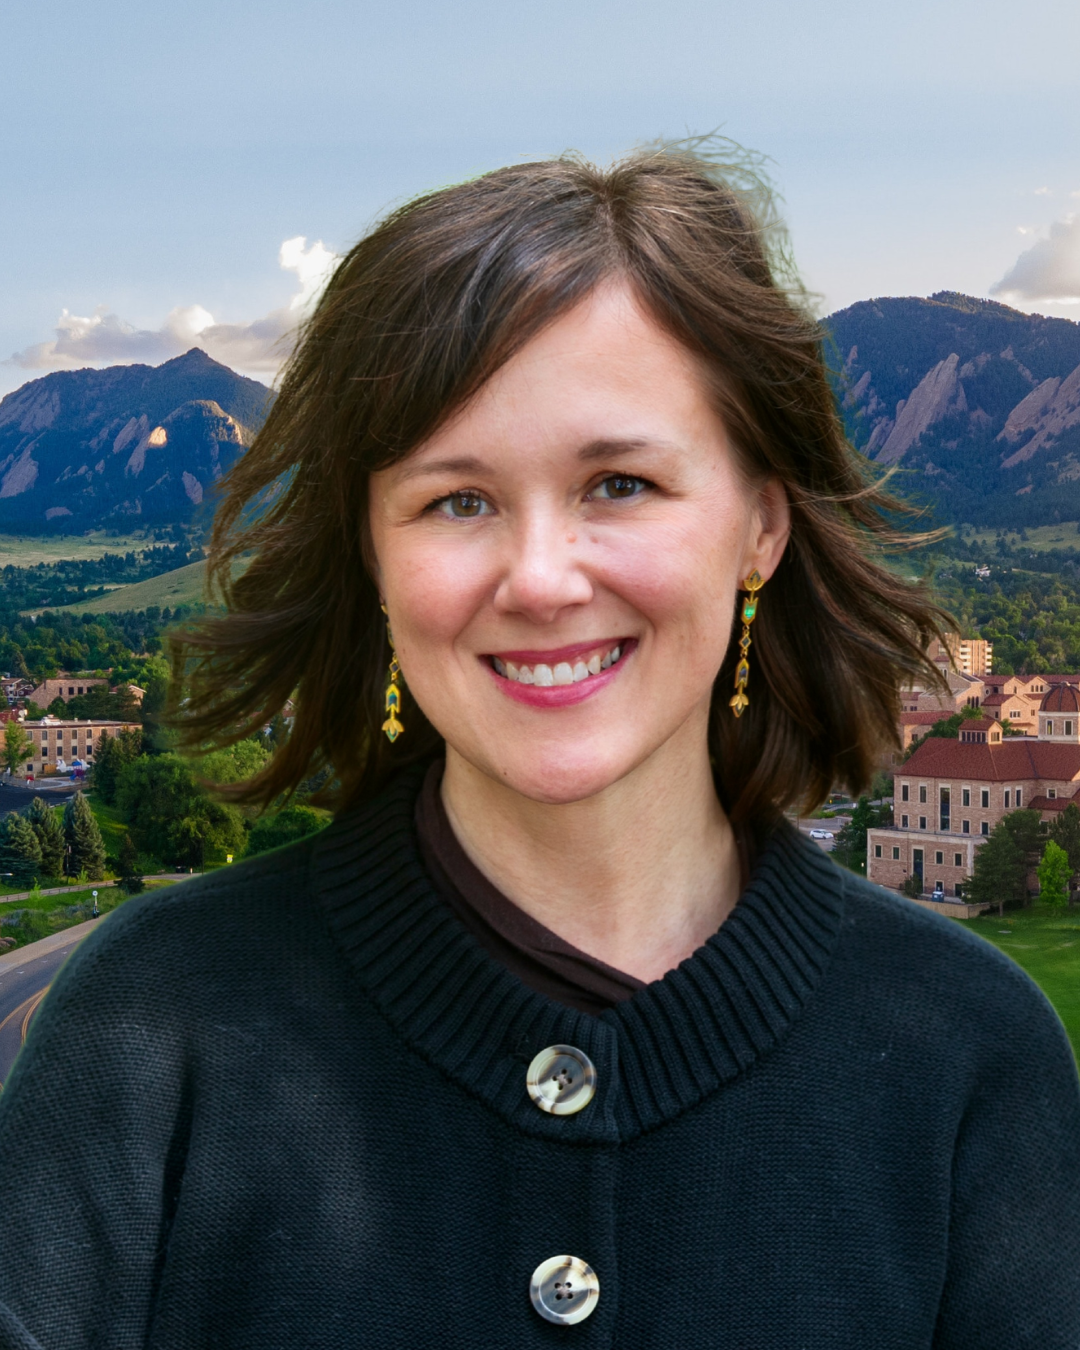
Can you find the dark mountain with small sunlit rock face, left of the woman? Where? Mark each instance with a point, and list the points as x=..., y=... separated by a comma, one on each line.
x=121, y=448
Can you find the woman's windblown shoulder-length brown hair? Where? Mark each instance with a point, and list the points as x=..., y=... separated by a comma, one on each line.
x=415, y=319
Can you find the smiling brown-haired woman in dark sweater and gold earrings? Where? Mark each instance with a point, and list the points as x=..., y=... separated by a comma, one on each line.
x=560, y=1033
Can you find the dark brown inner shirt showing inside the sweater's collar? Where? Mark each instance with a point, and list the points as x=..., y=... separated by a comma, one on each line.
x=539, y=958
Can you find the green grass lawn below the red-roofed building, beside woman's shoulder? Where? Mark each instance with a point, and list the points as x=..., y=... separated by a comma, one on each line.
x=1047, y=944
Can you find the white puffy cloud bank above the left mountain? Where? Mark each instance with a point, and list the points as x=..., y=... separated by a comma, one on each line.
x=259, y=348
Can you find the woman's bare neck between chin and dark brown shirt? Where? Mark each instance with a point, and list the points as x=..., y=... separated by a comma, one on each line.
x=638, y=877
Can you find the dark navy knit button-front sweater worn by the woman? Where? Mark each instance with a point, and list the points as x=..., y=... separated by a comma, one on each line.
x=286, y=1106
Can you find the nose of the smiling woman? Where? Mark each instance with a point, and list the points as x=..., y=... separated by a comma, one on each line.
x=543, y=570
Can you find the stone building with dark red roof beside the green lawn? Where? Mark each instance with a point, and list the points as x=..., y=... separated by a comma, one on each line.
x=951, y=793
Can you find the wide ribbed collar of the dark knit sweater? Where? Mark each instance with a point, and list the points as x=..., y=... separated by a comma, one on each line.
x=657, y=1055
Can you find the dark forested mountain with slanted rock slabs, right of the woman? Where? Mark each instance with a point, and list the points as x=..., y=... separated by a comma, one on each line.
x=978, y=403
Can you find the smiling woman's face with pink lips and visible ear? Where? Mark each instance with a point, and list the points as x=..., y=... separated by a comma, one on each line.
x=561, y=561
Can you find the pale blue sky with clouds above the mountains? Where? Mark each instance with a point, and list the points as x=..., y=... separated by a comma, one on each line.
x=179, y=175
